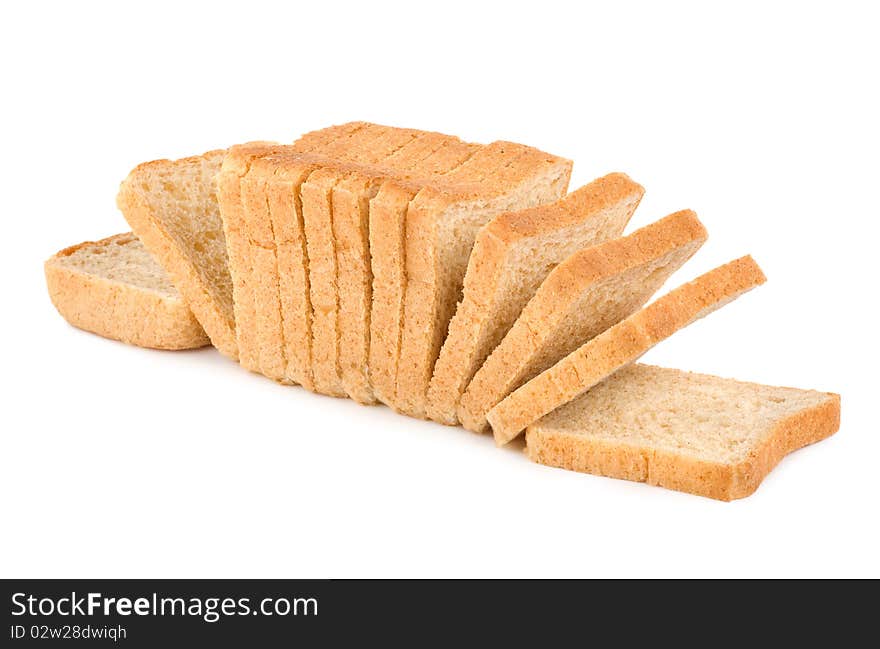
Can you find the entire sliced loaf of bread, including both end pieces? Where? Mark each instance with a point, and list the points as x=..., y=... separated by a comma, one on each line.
x=451, y=281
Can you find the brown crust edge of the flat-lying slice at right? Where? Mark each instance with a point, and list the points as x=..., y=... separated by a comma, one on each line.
x=676, y=471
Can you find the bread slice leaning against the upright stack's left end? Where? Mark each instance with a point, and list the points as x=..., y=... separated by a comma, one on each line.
x=172, y=207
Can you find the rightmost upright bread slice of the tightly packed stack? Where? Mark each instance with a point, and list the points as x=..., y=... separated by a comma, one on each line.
x=441, y=227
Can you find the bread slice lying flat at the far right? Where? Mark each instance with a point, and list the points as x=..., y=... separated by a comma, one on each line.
x=695, y=433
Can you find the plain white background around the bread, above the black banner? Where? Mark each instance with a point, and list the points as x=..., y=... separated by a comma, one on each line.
x=118, y=461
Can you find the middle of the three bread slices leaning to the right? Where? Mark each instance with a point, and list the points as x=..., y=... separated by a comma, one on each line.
x=590, y=291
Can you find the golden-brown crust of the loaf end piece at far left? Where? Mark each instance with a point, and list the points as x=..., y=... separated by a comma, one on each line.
x=118, y=310
